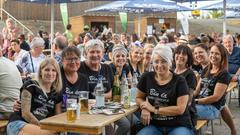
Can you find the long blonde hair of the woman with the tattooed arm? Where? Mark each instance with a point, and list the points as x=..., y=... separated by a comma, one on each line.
x=57, y=84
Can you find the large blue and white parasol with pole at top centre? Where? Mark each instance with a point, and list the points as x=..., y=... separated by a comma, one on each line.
x=139, y=6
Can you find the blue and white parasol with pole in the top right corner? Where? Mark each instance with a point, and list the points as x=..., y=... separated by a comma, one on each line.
x=224, y=5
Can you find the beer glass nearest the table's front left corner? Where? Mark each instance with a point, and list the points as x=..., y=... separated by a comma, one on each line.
x=71, y=110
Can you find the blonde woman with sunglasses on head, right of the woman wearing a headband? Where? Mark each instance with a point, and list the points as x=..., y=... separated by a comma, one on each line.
x=135, y=58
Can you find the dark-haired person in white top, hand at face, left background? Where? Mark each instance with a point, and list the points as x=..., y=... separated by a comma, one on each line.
x=16, y=53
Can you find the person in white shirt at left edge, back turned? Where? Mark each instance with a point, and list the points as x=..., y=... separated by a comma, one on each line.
x=10, y=84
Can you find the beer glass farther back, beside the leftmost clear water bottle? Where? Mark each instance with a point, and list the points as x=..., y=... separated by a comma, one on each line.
x=83, y=99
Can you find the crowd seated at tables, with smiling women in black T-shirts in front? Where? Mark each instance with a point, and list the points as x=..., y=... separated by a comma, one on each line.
x=178, y=82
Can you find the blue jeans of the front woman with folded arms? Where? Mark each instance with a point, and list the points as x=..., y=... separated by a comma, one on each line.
x=154, y=130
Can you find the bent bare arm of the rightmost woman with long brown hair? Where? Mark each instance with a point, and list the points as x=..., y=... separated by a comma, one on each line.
x=219, y=91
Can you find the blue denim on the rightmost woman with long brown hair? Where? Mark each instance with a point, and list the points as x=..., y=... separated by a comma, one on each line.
x=207, y=112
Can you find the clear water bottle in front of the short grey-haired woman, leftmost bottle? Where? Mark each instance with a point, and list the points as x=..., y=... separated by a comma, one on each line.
x=99, y=93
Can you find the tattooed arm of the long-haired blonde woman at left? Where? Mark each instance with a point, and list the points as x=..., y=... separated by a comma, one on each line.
x=26, y=98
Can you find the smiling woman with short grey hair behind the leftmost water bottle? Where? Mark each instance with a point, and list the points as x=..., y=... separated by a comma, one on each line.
x=94, y=70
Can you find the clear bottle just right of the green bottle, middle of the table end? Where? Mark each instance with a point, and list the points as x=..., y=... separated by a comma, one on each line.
x=125, y=92
